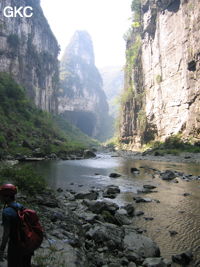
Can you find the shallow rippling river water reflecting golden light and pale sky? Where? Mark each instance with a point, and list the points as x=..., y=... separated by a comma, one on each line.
x=175, y=212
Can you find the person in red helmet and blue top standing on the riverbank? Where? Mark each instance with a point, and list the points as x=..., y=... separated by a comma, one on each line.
x=15, y=256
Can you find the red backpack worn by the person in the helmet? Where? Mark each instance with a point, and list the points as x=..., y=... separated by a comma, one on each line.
x=29, y=231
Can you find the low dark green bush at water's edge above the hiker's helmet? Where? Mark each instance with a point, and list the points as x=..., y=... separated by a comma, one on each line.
x=24, y=177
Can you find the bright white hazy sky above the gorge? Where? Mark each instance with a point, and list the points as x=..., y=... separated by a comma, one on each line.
x=105, y=20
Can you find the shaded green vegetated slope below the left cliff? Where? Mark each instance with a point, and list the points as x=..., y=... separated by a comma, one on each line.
x=27, y=130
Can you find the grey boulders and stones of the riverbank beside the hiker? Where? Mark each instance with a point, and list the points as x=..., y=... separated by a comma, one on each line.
x=88, y=229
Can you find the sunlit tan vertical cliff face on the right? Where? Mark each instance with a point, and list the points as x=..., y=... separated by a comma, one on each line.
x=165, y=72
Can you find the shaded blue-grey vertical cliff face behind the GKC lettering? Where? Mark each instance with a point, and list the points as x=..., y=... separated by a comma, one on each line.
x=28, y=51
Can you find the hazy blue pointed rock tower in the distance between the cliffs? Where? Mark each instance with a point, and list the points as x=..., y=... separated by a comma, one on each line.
x=81, y=98
